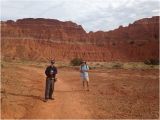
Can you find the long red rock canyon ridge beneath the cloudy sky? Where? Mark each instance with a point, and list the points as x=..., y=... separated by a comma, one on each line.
x=40, y=39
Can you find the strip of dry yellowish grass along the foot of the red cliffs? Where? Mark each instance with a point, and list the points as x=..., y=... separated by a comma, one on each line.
x=93, y=65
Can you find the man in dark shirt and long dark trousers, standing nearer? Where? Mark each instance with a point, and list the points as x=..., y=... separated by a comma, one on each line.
x=50, y=72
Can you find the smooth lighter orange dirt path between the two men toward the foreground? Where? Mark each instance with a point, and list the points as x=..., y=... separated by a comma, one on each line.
x=67, y=104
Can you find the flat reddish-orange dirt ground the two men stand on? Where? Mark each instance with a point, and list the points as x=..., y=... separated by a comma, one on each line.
x=114, y=93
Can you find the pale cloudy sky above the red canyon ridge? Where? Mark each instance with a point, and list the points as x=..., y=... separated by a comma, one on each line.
x=93, y=15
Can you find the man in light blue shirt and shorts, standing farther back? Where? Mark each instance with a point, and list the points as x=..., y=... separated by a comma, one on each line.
x=84, y=68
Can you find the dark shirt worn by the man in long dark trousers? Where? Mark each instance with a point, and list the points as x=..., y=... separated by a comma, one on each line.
x=51, y=71
